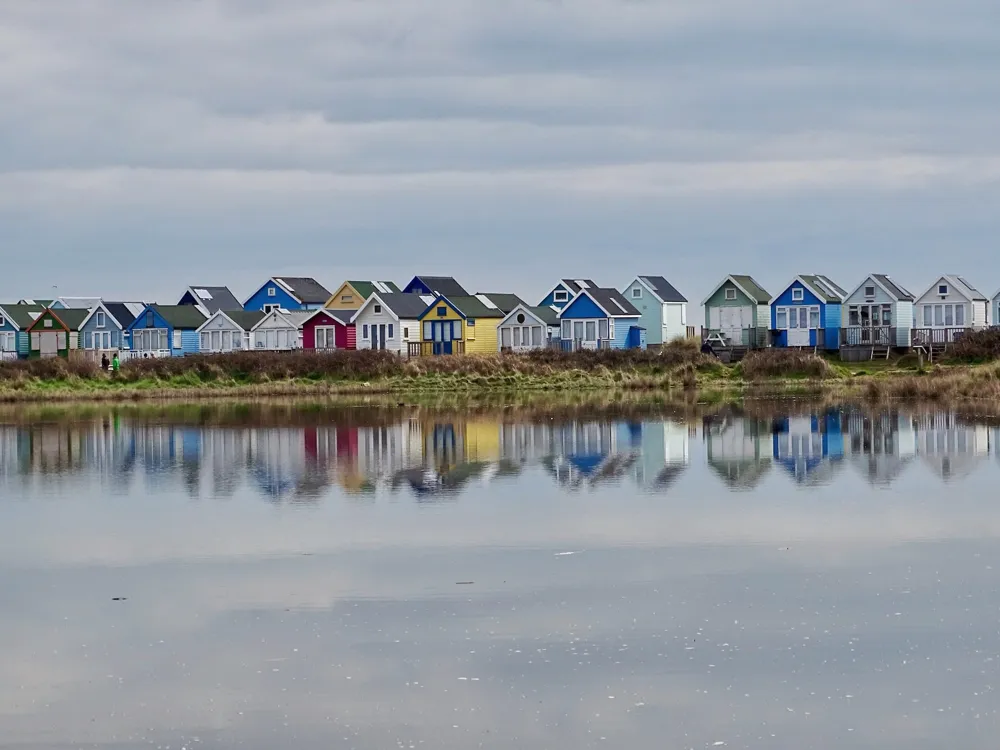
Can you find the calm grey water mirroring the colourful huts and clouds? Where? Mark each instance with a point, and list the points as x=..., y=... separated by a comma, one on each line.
x=293, y=578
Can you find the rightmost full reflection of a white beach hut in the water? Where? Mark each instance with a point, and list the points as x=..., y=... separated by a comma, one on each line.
x=950, y=447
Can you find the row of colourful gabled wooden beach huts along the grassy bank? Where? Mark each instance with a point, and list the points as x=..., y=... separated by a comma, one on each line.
x=436, y=315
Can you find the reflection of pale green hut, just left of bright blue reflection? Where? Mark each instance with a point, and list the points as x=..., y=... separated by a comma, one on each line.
x=736, y=450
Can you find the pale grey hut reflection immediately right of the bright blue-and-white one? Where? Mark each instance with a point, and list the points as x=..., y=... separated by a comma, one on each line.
x=880, y=444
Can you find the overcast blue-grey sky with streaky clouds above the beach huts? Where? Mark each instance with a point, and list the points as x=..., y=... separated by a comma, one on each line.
x=146, y=147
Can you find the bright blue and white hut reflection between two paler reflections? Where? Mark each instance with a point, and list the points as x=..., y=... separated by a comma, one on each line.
x=809, y=447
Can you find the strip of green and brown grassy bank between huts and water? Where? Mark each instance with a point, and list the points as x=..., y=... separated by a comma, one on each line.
x=679, y=368
